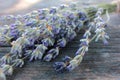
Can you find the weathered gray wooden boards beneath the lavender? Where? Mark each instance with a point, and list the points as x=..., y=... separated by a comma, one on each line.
x=100, y=63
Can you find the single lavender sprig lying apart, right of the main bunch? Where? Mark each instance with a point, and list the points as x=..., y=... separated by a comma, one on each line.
x=98, y=25
